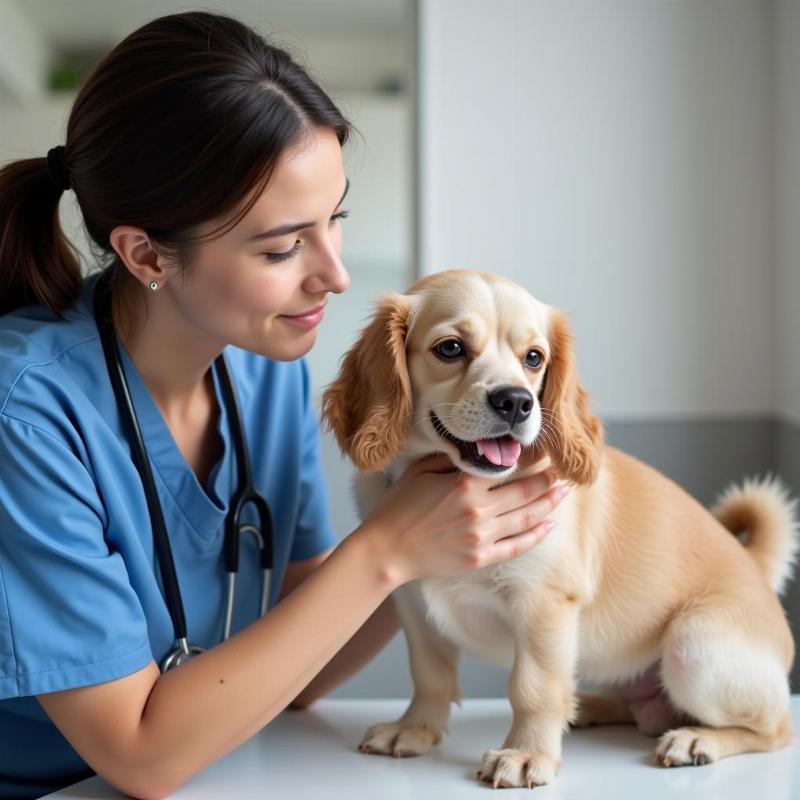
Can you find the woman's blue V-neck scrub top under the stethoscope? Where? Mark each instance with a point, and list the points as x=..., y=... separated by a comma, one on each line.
x=80, y=590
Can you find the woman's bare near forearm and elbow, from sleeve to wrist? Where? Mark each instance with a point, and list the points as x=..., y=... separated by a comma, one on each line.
x=148, y=733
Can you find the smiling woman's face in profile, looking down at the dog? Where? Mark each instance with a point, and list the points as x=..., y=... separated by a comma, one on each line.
x=243, y=284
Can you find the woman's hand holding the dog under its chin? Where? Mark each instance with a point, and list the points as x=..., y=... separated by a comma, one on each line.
x=435, y=520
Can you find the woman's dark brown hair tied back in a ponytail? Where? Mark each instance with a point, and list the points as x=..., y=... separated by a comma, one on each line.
x=181, y=121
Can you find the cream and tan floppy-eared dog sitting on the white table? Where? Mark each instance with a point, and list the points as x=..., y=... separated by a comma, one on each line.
x=639, y=590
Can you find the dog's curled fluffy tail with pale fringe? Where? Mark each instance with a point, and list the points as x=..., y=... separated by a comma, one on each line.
x=764, y=510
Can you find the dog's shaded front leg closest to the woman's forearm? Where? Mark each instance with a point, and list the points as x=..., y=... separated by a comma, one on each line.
x=434, y=669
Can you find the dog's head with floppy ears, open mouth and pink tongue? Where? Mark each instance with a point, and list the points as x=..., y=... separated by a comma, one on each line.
x=470, y=364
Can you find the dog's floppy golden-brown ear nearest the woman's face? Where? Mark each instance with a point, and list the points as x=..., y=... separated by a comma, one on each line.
x=368, y=407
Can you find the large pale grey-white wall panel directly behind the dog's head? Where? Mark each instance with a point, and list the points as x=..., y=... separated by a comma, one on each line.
x=614, y=158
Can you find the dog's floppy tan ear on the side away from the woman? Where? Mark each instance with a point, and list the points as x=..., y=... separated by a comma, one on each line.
x=571, y=434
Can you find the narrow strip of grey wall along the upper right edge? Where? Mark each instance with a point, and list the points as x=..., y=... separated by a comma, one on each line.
x=787, y=210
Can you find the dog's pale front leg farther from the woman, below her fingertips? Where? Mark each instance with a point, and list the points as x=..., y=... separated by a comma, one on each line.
x=541, y=691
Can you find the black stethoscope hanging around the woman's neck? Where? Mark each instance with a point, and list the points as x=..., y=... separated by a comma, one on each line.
x=246, y=493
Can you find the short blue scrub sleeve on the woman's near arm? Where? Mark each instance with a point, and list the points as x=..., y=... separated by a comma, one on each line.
x=68, y=613
